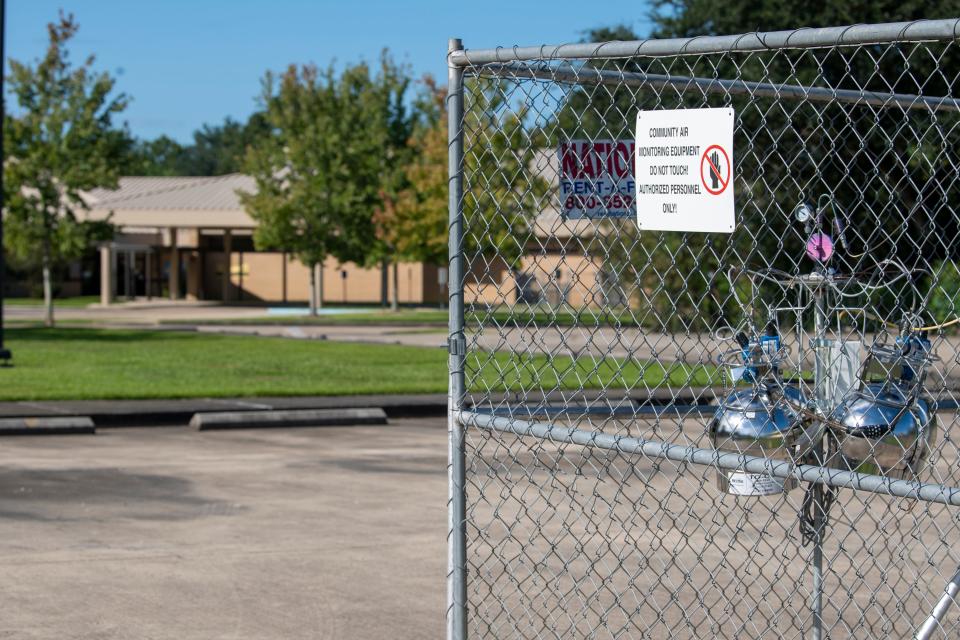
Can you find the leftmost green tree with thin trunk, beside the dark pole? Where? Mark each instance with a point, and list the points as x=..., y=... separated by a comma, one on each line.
x=62, y=143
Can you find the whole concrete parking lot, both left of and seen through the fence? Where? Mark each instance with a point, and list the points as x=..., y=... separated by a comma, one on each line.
x=339, y=532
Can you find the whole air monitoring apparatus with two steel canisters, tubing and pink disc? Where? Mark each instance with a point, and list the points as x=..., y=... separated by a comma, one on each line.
x=836, y=409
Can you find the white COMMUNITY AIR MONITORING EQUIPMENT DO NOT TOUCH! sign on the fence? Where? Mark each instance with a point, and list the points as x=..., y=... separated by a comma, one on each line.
x=684, y=170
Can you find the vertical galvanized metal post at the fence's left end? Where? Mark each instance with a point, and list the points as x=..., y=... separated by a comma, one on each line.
x=456, y=530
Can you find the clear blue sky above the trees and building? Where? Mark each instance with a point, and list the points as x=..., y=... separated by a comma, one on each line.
x=189, y=62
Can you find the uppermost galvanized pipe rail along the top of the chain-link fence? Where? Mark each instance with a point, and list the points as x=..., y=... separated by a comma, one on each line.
x=807, y=38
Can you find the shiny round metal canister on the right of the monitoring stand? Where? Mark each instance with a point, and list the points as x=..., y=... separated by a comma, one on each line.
x=885, y=432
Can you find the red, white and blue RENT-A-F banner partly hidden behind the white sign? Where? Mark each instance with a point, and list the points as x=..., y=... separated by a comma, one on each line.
x=596, y=178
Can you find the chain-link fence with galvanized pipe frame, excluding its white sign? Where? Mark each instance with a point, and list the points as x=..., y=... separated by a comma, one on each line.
x=690, y=435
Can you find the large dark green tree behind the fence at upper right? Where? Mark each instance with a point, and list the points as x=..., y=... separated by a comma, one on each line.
x=853, y=153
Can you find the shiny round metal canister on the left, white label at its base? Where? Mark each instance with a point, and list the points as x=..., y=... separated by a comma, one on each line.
x=750, y=422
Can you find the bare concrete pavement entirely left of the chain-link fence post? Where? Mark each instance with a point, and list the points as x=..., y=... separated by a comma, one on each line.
x=169, y=533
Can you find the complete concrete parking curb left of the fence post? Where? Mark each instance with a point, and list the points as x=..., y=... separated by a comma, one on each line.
x=278, y=419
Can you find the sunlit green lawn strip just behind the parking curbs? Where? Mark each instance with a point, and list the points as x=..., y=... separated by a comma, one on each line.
x=80, y=363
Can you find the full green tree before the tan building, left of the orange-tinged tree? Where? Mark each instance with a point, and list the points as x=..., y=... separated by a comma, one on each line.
x=317, y=173
